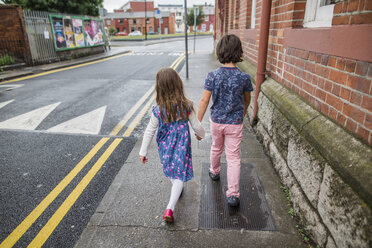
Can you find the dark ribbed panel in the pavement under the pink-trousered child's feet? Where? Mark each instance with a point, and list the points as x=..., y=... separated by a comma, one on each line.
x=253, y=212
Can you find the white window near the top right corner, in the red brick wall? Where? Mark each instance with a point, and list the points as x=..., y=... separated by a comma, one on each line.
x=319, y=13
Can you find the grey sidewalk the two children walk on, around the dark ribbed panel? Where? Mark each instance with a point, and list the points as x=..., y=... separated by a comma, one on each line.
x=130, y=214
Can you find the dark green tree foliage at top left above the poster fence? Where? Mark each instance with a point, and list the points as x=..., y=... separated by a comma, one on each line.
x=79, y=7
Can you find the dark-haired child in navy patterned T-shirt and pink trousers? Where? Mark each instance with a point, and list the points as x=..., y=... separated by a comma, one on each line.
x=230, y=89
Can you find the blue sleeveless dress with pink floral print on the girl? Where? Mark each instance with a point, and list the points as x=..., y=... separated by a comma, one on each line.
x=174, y=147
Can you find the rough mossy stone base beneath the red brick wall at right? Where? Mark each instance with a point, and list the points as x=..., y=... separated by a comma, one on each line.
x=326, y=169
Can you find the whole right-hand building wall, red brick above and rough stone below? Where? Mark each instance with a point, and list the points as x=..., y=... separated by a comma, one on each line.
x=312, y=110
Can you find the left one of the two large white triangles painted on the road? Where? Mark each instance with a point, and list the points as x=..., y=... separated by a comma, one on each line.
x=29, y=120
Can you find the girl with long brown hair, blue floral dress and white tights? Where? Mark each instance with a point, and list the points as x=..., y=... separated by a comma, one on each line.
x=171, y=117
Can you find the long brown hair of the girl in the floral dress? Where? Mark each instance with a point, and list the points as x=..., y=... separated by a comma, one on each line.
x=170, y=96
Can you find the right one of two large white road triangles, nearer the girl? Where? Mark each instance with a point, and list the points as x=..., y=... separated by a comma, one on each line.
x=89, y=123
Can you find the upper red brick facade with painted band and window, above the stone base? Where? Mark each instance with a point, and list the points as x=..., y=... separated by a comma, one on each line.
x=323, y=70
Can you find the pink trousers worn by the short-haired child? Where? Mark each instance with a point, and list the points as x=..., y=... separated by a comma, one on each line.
x=231, y=136
